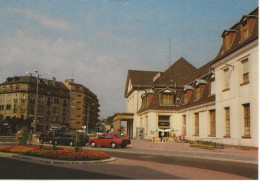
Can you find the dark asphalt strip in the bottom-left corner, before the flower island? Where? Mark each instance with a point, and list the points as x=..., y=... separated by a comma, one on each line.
x=16, y=169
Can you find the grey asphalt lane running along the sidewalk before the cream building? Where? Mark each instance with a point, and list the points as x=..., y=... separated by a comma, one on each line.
x=242, y=169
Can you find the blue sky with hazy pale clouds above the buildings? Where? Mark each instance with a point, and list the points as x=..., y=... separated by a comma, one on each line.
x=97, y=42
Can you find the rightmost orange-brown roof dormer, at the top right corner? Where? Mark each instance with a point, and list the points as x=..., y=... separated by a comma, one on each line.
x=246, y=26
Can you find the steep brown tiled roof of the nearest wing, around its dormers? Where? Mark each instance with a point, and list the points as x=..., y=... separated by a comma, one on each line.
x=237, y=44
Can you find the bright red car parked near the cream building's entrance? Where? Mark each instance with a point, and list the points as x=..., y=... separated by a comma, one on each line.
x=110, y=140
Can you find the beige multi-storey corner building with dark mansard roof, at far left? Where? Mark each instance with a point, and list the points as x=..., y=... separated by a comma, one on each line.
x=17, y=100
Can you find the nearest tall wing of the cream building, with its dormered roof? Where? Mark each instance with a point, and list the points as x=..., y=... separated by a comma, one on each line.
x=237, y=94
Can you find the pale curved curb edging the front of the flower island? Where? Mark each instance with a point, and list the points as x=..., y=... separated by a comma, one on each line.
x=44, y=160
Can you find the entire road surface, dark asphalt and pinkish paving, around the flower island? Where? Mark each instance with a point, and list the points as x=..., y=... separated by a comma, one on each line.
x=130, y=165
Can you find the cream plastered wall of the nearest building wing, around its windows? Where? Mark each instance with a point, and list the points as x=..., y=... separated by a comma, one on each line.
x=238, y=95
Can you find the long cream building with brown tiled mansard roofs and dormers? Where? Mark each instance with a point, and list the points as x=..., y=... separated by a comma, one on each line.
x=212, y=102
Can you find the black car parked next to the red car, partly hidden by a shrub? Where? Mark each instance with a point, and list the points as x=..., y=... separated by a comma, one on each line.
x=70, y=139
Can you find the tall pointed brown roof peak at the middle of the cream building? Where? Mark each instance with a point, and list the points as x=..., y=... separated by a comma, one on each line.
x=181, y=72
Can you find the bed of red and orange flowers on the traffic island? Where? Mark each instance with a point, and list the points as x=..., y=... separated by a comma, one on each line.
x=60, y=153
